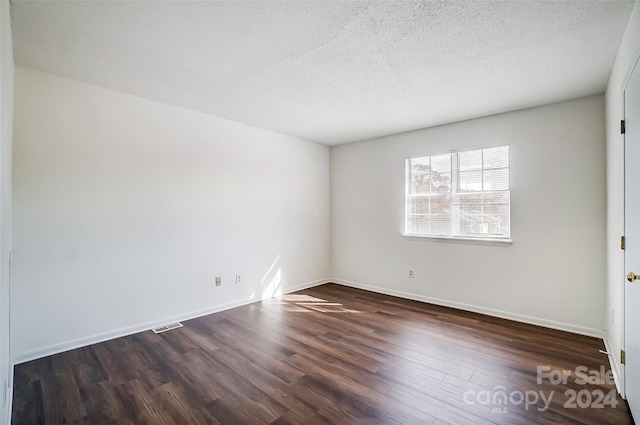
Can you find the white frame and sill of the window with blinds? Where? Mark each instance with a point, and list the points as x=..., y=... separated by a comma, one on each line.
x=455, y=191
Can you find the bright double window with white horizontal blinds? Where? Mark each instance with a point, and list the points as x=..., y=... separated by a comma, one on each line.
x=459, y=195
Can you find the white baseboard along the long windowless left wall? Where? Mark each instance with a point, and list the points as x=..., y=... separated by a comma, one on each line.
x=105, y=336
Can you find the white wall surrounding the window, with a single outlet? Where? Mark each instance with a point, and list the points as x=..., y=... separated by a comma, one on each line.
x=554, y=271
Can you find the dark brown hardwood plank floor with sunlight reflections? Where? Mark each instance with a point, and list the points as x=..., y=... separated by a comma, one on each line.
x=329, y=354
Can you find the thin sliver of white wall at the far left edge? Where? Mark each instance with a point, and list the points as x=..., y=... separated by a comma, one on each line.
x=6, y=123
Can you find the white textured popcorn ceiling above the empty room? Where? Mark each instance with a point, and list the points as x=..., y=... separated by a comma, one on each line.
x=329, y=71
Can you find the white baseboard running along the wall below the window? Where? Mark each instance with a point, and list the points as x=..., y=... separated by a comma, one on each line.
x=568, y=327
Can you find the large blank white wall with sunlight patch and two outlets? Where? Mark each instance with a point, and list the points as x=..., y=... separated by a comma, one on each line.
x=126, y=209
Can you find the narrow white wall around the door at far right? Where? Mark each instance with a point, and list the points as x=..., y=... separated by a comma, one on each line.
x=628, y=52
